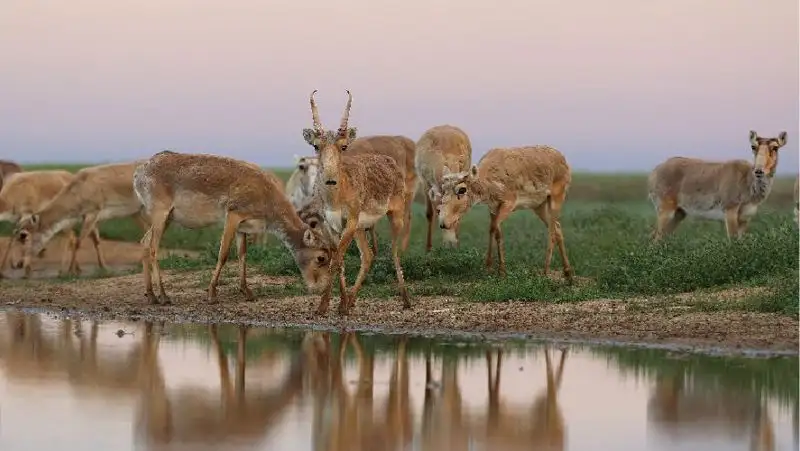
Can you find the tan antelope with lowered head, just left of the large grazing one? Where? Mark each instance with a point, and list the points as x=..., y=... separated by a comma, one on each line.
x=93, y=195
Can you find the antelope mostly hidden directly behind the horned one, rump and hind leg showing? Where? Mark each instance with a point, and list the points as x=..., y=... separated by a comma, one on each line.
x=402, y=150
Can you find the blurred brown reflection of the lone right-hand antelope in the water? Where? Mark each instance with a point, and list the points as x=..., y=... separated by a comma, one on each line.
x=680, y=406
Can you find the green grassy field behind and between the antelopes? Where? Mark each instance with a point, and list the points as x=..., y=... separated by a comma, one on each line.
x=607, y=221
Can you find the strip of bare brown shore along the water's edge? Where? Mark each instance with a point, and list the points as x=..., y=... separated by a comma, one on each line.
x=665, y=321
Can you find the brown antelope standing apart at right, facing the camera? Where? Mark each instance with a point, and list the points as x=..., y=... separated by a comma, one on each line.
x=730, y=191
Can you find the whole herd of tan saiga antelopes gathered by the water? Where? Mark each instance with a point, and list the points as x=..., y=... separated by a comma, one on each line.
x=342, y=191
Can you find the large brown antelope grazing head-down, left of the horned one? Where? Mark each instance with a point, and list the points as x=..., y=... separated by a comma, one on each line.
x=197, y=190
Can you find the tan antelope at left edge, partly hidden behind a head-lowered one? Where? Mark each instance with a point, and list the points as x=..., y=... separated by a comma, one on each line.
x=23, y=194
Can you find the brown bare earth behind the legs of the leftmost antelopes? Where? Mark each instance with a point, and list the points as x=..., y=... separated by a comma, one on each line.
x=120, y=256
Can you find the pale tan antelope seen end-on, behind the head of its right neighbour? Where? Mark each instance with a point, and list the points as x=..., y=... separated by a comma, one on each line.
x=443, y=146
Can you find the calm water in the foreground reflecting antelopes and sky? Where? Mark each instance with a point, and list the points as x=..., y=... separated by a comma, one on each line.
x=79, y=385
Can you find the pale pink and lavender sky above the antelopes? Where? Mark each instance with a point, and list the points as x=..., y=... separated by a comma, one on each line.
x=616, y=86
